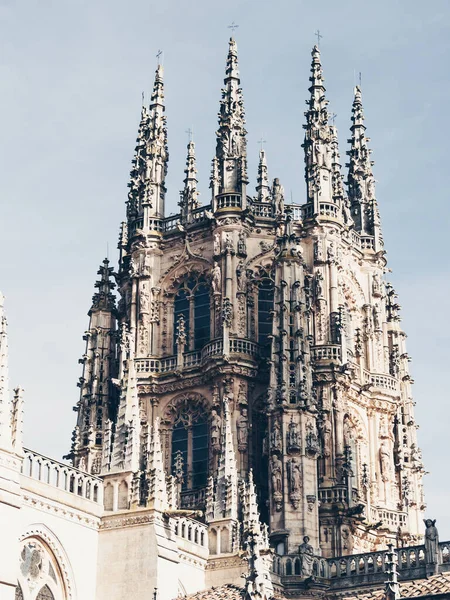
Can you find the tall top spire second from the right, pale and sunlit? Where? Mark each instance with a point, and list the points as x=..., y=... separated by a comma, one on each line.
x=317, y=143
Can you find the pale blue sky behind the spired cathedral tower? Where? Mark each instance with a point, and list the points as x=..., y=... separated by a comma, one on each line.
x=71, y=76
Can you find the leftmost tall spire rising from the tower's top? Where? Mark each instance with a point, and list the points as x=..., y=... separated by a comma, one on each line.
x=147, y=178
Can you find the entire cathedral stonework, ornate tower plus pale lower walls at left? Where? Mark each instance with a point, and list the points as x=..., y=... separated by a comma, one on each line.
x=245, y=406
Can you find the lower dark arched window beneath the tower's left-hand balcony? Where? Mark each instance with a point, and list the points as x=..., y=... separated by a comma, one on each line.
x=190, y=441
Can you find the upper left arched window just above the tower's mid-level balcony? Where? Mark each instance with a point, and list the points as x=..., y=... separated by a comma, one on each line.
x=193, y=303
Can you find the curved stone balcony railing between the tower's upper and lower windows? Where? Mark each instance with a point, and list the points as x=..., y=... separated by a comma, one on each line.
x=169, y=364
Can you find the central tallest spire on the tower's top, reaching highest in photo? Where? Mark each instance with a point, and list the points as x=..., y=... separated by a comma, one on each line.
x=230, y=165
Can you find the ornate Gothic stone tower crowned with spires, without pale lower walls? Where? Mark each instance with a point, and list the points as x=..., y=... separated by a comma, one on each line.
x=254, y=336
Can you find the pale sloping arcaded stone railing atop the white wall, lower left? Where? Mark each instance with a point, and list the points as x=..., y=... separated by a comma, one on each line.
x=62, y=476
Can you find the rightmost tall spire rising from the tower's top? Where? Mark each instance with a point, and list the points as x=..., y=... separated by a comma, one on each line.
x=361, y=182
